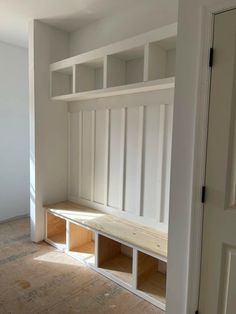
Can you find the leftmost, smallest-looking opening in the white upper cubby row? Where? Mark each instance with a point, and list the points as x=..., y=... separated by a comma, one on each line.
x=62, y=82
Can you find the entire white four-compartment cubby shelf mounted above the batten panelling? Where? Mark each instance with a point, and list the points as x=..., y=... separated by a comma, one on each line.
x=143, y=63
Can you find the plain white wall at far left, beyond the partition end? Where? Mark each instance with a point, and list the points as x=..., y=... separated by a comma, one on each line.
x=14, y=132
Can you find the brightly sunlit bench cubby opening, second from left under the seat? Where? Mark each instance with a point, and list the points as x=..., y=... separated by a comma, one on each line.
x=82, y=243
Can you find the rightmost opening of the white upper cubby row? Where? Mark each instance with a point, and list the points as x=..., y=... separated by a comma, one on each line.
x=161, y=59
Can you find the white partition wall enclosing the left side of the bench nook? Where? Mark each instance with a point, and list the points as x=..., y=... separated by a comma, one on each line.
x=48, y=125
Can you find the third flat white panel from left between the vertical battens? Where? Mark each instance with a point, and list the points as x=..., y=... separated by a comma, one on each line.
x=100, y=156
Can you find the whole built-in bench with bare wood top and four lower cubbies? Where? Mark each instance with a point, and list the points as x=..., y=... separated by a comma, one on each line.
x=128, y=253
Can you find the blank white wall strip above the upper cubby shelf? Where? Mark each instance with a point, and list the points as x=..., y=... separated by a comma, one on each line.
x=144, y=17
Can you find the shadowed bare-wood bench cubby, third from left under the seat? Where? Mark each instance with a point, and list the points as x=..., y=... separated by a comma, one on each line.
x=115, y=258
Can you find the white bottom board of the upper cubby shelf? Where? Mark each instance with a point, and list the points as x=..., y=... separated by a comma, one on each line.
x=161, y=84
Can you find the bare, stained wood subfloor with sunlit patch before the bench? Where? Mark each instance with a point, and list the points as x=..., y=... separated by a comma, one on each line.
x=36, y=278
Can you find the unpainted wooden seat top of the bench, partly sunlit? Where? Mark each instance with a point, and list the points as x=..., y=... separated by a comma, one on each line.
x=134, y=234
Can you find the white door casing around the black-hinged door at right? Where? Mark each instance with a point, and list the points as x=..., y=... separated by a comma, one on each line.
x=200, y=148
